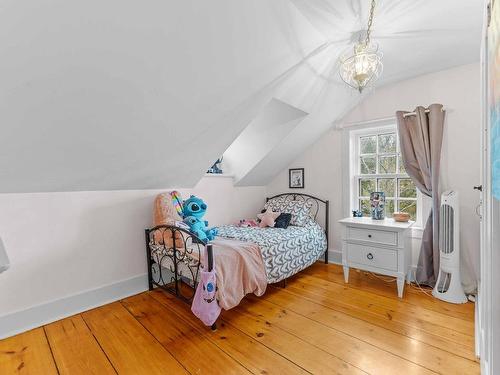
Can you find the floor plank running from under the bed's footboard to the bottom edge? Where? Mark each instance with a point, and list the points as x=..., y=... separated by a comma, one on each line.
x=256, y=357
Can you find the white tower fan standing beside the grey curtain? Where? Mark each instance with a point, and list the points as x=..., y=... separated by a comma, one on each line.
x=449, y=285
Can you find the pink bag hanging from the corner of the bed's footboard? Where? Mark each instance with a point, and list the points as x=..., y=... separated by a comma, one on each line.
x=205, y=305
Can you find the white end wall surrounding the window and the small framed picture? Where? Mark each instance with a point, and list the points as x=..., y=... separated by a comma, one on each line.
x=458, y=90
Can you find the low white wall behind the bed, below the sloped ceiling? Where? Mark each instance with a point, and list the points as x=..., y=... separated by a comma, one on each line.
x=62, y=244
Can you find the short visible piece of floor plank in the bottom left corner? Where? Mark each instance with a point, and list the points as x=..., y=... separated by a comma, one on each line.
x=27, y=353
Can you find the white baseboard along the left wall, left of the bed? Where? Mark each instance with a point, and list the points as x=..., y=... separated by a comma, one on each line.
x=36, y=316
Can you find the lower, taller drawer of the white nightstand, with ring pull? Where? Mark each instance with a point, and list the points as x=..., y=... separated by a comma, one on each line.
x=372, y=256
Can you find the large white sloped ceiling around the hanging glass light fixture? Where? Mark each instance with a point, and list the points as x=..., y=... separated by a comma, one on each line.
x=126, y=94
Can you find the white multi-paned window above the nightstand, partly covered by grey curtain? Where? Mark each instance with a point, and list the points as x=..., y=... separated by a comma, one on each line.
x=377, y=166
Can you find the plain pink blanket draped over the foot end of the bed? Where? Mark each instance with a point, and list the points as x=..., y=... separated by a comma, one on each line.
x=240, y=270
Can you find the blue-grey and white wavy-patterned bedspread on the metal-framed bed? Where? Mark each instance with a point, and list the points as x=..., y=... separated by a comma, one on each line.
x=284, y=251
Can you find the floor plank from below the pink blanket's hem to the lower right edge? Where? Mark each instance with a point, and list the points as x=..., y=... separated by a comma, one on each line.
x=334, y=342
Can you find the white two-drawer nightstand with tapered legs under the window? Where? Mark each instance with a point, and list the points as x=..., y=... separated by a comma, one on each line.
x=379, y=246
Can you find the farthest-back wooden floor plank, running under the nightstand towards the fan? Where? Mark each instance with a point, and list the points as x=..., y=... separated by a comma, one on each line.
x=358, y=280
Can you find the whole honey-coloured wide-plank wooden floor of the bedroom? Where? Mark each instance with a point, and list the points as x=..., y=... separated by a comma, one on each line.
x=316, y=325
